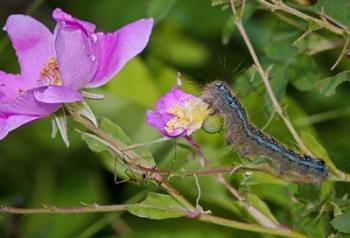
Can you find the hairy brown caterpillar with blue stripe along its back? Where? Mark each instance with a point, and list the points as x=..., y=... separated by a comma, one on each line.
x=251, y=142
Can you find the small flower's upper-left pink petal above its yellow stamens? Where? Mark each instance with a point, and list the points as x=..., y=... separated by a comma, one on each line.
x=174, y=97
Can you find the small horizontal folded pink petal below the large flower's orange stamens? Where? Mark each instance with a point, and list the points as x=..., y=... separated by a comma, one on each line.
x=57, y=94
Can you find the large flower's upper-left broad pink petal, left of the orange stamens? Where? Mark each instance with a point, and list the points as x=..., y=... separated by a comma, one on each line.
x=33, y=43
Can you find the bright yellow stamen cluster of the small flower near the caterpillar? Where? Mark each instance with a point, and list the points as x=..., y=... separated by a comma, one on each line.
x=188, y=117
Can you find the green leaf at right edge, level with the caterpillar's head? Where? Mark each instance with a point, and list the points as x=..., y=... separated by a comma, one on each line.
x=328, y=85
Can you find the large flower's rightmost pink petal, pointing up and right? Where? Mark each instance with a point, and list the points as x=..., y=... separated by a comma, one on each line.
x=114, y=50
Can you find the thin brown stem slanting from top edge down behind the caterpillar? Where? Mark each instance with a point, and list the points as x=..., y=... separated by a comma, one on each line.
x=264, y=75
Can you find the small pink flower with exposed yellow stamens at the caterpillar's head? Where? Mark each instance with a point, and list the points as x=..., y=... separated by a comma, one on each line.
x=178, y=114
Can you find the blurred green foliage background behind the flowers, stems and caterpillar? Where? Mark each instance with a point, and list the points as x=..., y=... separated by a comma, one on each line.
x=200, y=41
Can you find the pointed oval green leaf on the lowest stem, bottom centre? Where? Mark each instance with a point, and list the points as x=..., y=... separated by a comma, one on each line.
x=157, y=206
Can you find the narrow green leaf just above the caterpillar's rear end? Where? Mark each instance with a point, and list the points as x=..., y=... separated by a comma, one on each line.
x=317, y=149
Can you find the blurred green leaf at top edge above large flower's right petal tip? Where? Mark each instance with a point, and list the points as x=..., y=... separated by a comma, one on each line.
x=158, y=9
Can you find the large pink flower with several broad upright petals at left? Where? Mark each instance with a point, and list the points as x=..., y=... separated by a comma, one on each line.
x=54, y=67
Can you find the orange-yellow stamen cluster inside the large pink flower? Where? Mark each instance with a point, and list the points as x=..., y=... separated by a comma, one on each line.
x=51, y=73
